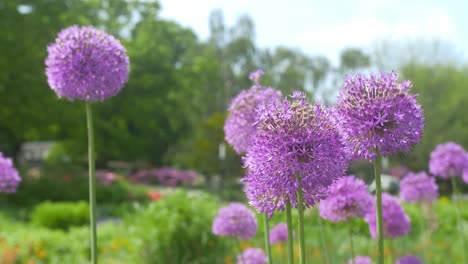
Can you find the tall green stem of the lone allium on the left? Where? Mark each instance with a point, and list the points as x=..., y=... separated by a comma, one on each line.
x=92, y=183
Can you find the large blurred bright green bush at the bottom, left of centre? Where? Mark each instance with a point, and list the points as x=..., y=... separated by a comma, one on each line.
x=177, y=229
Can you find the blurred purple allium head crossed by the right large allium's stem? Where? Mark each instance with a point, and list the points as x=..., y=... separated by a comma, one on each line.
x=395, y=221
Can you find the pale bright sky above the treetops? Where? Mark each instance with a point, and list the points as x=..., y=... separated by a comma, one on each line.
x=326, y=27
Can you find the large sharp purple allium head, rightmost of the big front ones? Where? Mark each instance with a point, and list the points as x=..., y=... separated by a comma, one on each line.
x=379, y=115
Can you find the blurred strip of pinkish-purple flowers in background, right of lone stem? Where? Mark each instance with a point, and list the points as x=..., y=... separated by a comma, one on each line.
x=166, y=176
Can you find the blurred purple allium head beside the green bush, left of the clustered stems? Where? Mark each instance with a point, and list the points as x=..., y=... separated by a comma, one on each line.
x=235, y=220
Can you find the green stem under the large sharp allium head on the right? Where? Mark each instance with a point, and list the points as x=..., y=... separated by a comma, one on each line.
x=378, y=199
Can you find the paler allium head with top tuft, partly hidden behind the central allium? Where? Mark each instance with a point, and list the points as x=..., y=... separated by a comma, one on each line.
x=239, y=126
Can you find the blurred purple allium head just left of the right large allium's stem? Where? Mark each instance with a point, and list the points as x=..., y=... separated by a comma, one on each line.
x=348, y=197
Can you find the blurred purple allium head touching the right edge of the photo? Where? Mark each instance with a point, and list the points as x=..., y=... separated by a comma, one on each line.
x=448, y=160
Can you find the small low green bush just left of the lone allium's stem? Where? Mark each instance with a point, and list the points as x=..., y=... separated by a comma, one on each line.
x=60, y=215
